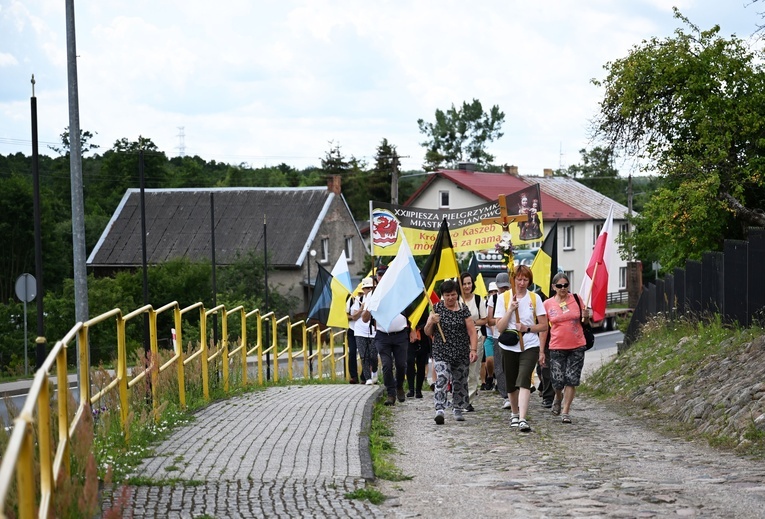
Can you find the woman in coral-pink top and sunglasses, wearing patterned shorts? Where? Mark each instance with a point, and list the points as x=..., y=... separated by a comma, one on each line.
x=567, y=344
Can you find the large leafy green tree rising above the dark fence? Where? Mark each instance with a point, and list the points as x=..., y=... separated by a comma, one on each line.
x=692, y=108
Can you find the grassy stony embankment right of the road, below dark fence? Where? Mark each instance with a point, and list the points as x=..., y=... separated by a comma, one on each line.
x=674, y=367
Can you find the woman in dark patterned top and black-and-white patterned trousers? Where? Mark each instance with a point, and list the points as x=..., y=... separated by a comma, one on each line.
x=452, y=353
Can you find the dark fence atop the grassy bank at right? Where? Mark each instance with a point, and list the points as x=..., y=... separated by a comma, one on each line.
x=730, y=283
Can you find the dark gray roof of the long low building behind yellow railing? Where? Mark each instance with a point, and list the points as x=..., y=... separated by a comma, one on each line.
x=178, y=225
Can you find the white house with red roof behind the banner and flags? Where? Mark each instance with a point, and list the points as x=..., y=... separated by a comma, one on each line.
x=580, y=211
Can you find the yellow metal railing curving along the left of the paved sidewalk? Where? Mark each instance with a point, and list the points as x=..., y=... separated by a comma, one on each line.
x=20, y=455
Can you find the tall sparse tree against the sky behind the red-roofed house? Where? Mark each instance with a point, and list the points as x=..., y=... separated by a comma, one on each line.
x=461, y=134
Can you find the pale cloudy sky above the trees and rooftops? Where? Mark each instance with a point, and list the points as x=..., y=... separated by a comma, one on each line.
x=265, y=82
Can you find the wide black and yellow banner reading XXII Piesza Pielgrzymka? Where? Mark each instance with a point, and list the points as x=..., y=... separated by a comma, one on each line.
x=388, y=222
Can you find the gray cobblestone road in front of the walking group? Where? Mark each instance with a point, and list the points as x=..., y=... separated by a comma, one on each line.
x=603, y=465
